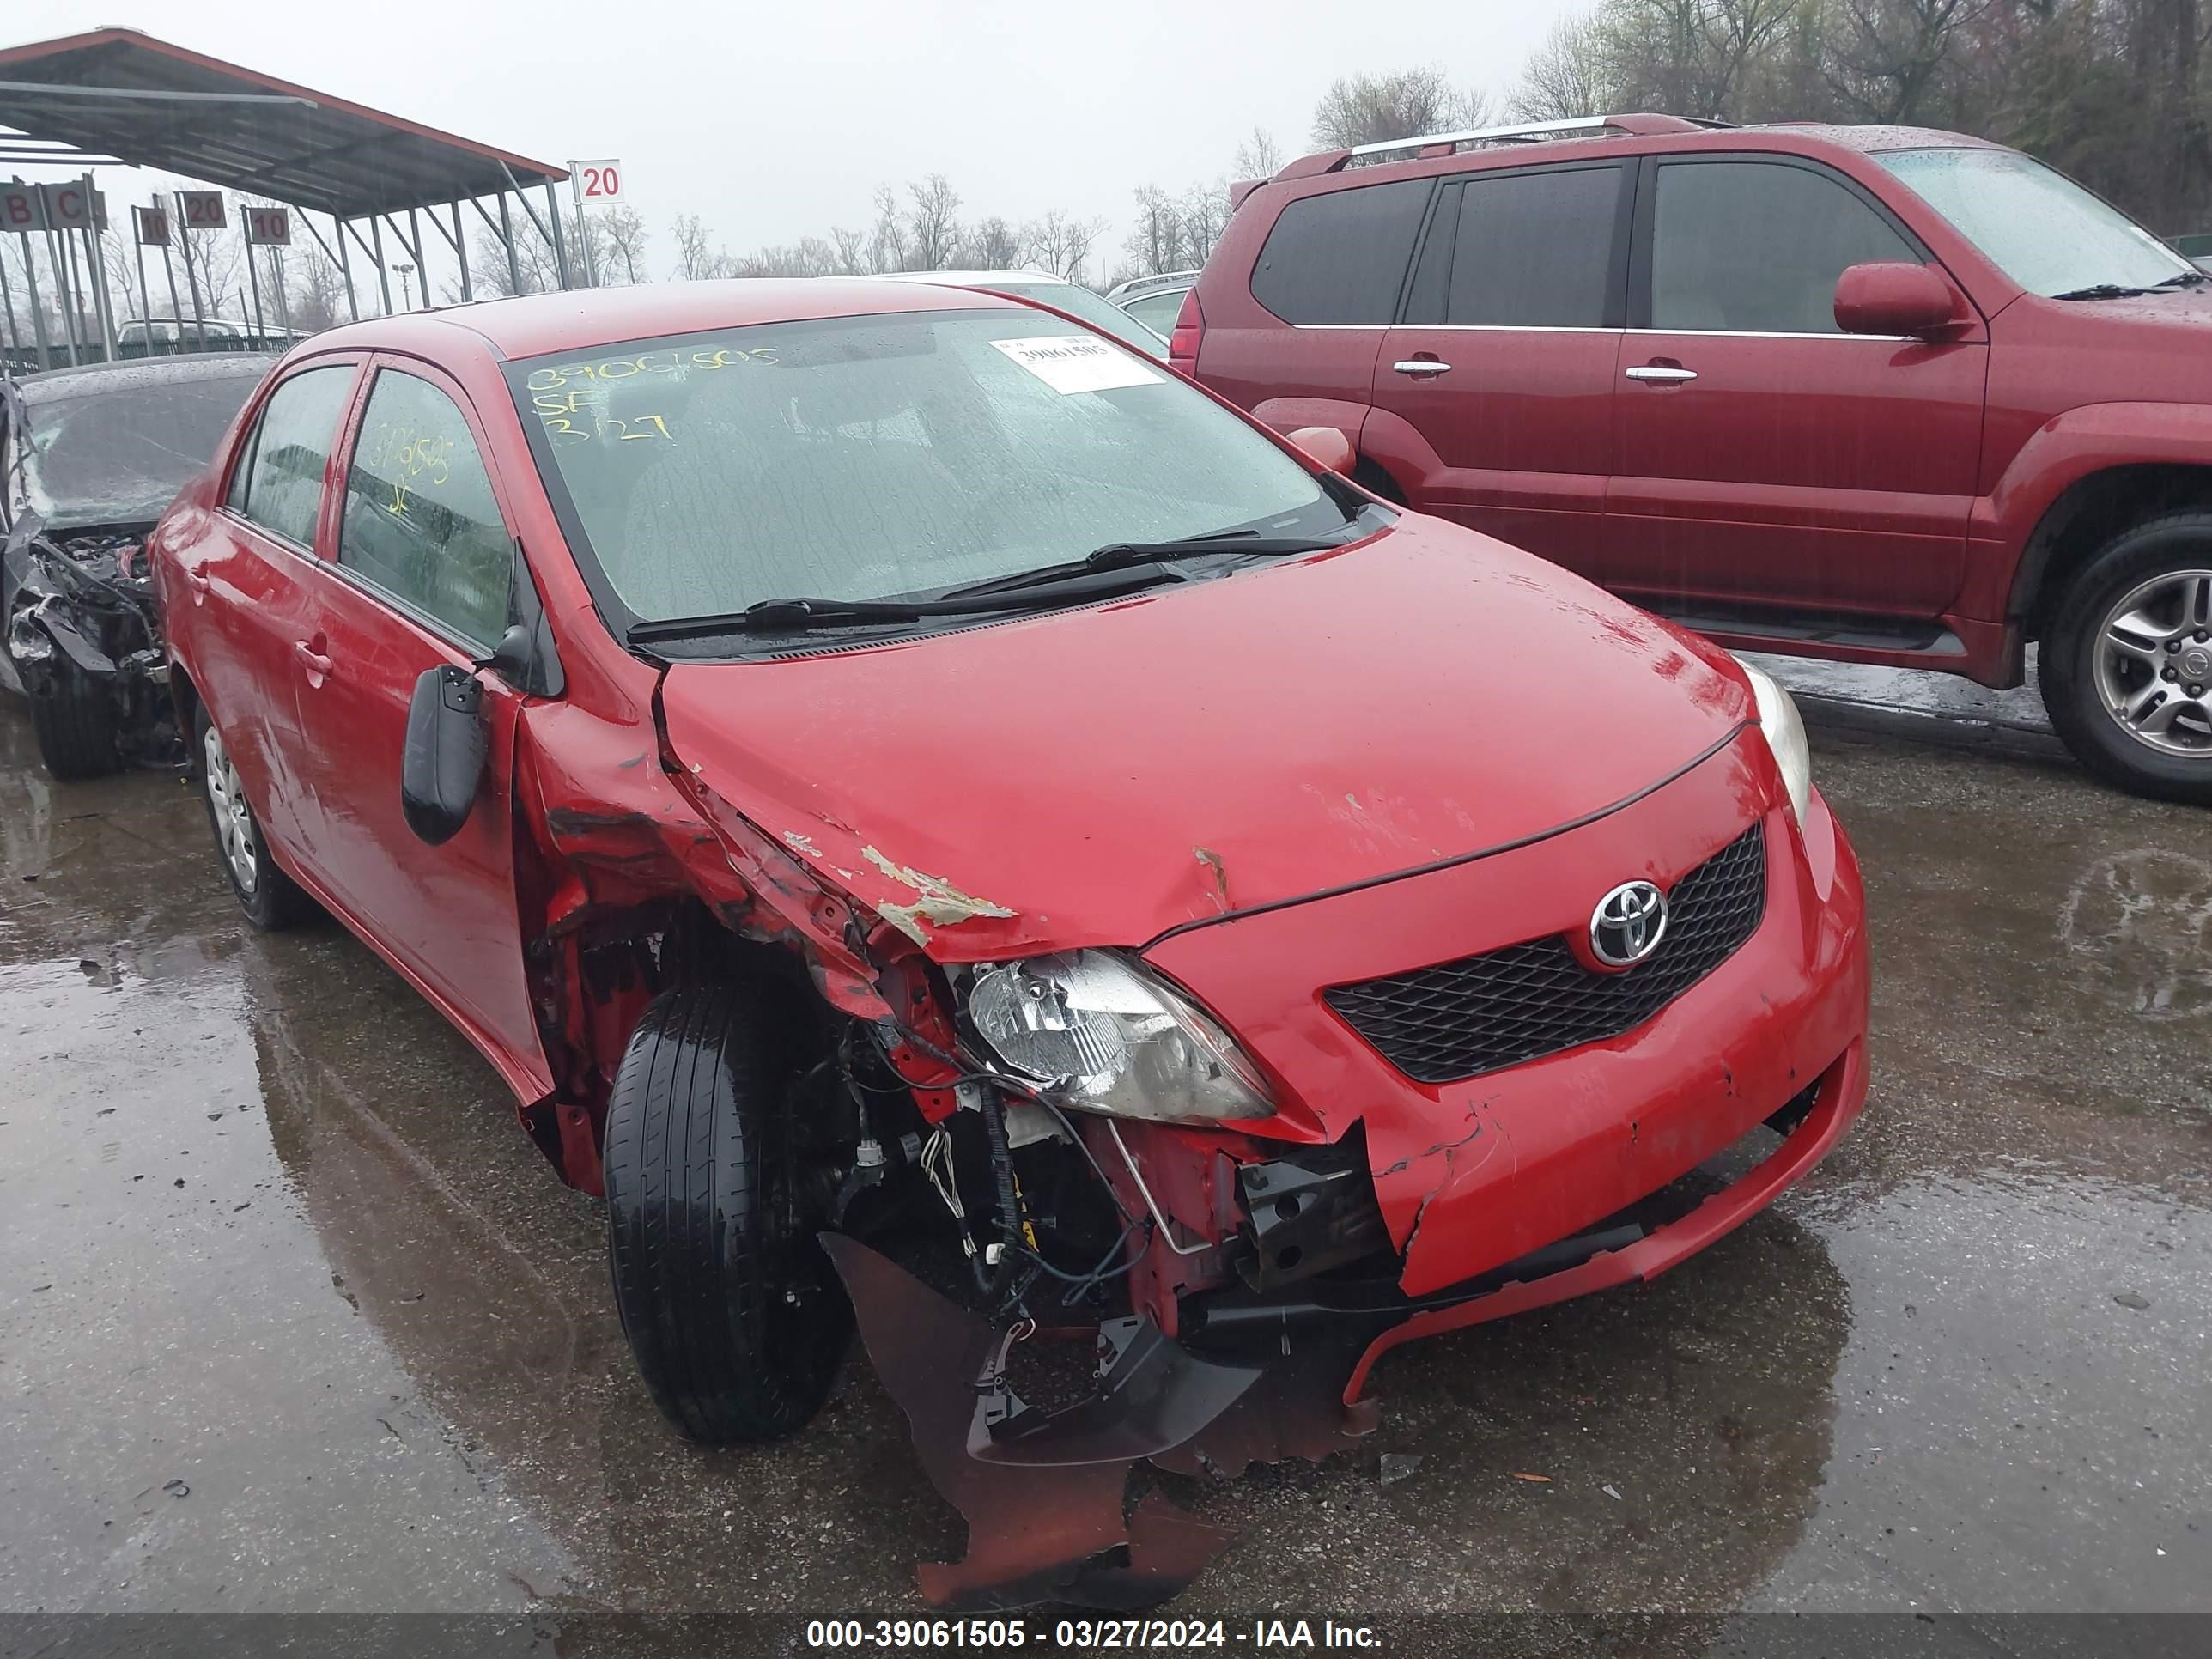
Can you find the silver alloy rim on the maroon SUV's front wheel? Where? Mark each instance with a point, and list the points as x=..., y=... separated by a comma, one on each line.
x=2156, y=662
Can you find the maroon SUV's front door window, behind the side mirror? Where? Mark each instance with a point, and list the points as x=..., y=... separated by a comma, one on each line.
x=1757, y=247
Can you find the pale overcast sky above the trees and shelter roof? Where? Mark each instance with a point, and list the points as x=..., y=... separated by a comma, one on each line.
x=780, y=121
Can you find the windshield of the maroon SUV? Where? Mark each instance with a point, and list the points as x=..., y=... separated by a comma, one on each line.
x=2038, y=227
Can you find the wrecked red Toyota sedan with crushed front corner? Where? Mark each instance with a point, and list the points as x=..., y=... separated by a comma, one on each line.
x=948, y=824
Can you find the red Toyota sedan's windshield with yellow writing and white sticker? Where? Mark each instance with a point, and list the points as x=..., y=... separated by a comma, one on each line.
x=886, y=457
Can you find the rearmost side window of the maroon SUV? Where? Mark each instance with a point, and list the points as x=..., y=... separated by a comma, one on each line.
x=1342, y=258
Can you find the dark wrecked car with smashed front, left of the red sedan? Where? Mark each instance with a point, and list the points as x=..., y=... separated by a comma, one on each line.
x=87, y=463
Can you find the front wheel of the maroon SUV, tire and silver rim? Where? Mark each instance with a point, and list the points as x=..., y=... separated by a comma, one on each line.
x=2127, y=665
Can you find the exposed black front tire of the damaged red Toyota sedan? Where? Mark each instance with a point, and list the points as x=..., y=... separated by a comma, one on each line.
x=731, y=1306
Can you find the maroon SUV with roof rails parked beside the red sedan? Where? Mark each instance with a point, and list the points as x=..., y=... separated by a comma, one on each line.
x=1877, y=395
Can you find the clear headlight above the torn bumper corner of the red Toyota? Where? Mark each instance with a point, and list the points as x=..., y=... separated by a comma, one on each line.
x=1098, y=1034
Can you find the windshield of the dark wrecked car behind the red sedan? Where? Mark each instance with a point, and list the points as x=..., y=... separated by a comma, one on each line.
x=118, y=450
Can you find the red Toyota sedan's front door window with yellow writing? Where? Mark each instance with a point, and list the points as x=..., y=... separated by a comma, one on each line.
x=421, y=521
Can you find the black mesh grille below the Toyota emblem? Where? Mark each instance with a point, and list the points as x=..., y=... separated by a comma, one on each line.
x=1527, y=1001
